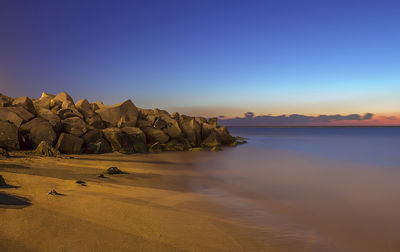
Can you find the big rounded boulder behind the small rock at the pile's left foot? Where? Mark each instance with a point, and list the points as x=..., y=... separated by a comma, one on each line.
x=35, y=131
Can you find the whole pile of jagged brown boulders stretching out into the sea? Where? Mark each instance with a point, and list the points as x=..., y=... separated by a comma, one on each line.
x=54, y=123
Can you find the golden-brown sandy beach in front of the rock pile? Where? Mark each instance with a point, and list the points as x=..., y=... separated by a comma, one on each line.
x=153, y=207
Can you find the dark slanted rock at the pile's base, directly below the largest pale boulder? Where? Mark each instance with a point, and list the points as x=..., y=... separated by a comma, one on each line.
x=119, y=140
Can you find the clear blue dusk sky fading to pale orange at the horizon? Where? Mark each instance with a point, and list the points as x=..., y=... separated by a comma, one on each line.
x=209, y=58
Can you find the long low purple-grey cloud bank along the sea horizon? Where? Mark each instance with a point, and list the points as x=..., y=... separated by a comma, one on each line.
x=250, y=119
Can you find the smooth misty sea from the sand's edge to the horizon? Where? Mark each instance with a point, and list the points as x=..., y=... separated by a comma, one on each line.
x=313, y=189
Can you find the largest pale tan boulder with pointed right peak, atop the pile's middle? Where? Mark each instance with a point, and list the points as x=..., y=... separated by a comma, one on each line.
x=121, y=115
